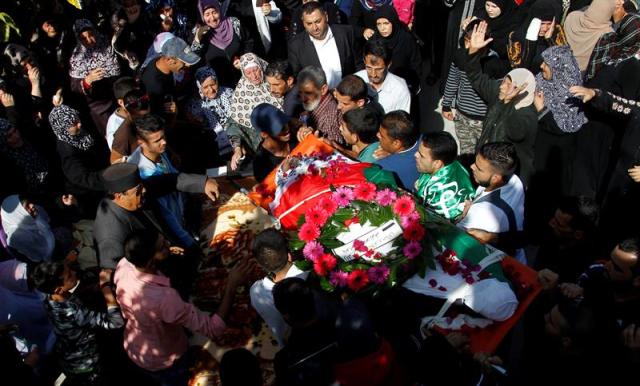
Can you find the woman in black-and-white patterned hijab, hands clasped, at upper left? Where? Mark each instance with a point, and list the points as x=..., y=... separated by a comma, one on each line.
x=93, y=69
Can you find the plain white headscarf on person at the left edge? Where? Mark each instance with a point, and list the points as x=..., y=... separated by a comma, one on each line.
x=30, y=236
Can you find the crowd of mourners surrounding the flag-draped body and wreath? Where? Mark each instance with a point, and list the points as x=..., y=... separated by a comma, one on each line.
x=111, y=113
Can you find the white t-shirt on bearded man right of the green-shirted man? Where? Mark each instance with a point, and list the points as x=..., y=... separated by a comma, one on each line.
x=486, y=216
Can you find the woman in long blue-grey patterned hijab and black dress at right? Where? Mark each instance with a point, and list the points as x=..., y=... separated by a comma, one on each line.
x=560, y=117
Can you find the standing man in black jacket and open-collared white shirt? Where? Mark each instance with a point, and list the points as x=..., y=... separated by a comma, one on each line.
x=334, y=44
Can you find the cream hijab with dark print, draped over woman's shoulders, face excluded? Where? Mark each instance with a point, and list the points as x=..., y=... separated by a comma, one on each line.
x=248, y=95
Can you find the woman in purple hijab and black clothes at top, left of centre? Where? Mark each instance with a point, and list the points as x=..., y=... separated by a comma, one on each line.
x=220, y=41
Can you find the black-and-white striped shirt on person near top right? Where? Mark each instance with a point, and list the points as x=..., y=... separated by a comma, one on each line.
x=459, y=93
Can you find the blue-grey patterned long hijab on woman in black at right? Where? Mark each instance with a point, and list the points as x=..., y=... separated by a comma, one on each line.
x=567, y=110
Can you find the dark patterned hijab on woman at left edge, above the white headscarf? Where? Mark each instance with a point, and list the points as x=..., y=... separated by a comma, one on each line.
x=31, y=163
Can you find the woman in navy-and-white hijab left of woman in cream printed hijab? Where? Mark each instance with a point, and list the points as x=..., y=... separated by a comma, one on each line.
x=213, y=107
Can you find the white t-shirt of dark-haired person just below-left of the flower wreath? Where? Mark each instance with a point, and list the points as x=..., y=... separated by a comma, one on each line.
x=262, y=302
